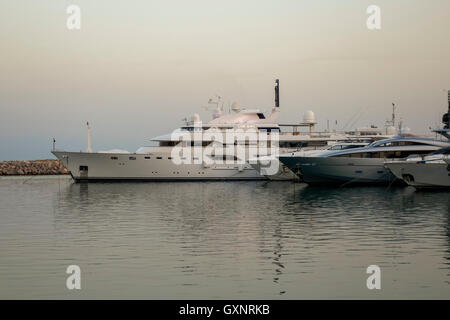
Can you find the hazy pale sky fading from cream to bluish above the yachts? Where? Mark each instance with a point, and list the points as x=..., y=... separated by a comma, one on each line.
x=137, y=67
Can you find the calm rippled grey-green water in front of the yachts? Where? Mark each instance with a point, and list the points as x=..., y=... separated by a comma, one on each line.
x=224, y=240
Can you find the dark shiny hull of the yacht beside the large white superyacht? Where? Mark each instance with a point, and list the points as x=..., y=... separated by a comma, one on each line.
x=339, y=171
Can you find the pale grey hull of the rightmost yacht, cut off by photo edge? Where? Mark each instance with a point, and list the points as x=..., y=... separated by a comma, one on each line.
x=422, y=175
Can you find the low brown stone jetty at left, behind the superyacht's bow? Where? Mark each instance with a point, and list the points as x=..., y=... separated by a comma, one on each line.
x=32, y=168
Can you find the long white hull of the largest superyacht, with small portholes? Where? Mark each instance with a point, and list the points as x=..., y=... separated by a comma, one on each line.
x=93, y=167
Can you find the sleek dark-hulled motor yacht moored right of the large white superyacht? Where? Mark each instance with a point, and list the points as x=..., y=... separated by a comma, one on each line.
x=359, y=165
